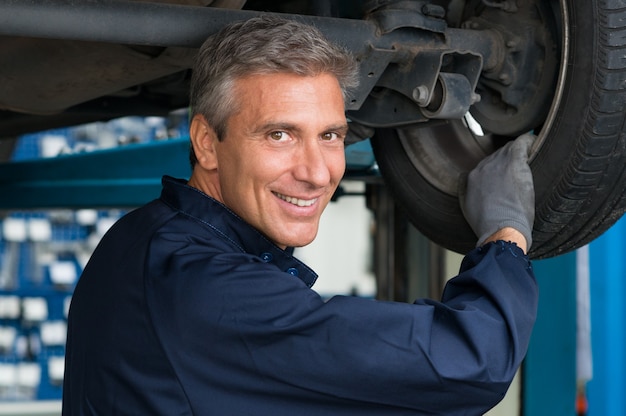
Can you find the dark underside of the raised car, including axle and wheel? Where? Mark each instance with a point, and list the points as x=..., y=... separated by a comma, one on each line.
x=443, y=84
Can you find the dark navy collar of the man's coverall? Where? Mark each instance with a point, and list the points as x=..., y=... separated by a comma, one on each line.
x=193, y=202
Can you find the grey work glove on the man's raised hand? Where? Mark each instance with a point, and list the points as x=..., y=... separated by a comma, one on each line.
x=499, y=192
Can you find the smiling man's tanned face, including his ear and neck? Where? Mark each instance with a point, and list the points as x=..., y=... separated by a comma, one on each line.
x=282, y=157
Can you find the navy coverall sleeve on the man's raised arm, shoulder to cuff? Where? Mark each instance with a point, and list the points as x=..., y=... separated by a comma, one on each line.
x=233, y=322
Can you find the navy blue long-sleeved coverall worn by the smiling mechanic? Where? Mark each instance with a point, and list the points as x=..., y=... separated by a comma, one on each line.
x=185, y=309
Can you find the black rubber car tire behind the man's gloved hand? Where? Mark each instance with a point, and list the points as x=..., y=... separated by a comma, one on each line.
x=578, y=162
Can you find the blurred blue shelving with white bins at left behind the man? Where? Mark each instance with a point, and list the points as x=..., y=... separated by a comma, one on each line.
x=42, y=253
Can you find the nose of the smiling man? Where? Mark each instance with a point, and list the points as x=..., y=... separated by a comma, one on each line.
x=313, y=164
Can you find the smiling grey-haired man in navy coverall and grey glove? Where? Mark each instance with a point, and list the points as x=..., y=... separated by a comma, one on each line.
x=193, y=304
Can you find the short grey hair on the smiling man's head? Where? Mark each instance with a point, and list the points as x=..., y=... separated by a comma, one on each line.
x=261, y=45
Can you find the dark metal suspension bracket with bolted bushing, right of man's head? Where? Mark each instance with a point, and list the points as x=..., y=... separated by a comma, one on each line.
x=428, y=71
